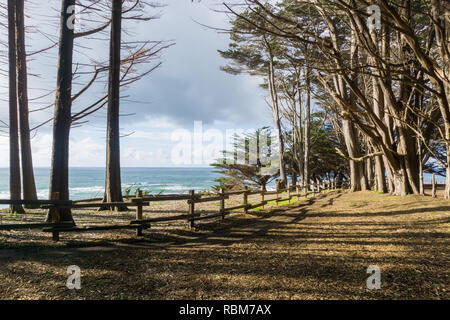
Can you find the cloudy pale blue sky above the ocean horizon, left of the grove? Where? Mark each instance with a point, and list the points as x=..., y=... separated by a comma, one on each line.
x=188, y=91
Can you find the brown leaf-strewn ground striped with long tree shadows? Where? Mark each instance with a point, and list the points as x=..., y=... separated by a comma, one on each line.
x=313, y=249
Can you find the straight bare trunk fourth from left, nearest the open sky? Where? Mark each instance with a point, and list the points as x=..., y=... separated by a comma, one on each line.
x=113, y=184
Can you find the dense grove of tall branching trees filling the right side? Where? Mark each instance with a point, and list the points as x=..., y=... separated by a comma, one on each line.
x=379, y=73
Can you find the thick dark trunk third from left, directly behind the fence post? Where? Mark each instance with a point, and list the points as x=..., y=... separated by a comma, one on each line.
x=59, y=175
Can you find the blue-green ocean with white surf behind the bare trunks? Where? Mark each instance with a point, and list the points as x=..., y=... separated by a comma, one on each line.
x=87, y=183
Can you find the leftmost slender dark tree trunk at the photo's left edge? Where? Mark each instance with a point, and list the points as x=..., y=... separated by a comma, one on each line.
x=14, y=158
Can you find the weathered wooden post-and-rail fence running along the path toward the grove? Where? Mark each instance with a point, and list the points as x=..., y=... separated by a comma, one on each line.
x=139, y=202
